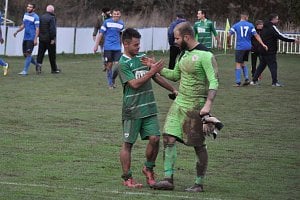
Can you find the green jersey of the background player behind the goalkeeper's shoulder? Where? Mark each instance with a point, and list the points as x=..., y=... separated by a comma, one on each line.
x=203, y=32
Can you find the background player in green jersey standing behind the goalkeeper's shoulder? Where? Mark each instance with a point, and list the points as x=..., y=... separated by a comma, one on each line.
x=204, y=28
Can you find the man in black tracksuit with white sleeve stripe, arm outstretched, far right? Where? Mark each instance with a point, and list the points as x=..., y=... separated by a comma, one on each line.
x=270, y=35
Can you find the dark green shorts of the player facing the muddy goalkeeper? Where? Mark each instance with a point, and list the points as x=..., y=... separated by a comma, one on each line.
x=146, y=127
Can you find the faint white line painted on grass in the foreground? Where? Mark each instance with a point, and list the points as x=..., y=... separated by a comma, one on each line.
x=104, y=191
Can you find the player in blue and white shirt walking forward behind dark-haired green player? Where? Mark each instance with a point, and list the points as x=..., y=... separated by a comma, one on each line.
x=111, y=30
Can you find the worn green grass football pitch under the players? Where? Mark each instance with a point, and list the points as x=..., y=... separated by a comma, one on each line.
x=61, y=136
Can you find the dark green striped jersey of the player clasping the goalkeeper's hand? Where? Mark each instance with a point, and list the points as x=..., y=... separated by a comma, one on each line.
x=140, y=102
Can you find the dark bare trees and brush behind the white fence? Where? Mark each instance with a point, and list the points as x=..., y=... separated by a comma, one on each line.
x=160, y=13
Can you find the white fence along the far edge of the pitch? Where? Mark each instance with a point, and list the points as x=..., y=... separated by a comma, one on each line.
x=79, y=41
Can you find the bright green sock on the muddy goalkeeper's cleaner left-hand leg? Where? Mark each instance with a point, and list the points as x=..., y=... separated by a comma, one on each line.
x=170, y=158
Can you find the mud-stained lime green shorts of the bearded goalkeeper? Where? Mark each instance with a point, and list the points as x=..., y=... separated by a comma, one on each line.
x=185, y=125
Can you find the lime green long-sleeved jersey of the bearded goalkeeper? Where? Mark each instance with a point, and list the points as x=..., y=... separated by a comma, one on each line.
x=197, y=73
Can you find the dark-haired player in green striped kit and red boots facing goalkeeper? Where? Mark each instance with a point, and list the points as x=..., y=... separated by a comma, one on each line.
x=139, y=112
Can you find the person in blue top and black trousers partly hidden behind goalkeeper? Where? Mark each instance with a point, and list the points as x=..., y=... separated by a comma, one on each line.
x=174, y=49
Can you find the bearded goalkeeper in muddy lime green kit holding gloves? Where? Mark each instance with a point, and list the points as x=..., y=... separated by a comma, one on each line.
x=196, y=70
